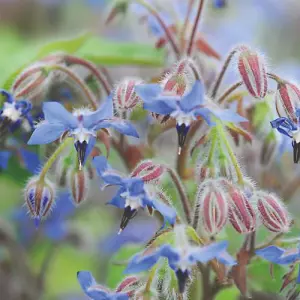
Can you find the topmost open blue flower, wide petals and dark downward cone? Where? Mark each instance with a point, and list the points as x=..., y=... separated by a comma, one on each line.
x=185, y=109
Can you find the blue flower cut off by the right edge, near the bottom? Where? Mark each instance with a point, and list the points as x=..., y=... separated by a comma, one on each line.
x=280, y=256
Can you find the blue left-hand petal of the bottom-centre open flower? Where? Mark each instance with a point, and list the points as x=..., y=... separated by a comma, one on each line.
x=141, y=263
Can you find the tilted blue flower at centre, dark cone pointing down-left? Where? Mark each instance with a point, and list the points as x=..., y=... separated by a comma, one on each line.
x=132, y=194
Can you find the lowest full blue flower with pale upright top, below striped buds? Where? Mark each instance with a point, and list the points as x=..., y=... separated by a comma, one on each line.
x=182, y=257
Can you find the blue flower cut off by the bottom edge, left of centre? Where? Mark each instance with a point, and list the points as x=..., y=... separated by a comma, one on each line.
x=95, y=291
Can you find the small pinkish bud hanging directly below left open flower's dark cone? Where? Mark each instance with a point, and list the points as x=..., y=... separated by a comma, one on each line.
x=79, y=185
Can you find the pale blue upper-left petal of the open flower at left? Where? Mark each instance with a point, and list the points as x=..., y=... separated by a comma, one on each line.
x=56, y=113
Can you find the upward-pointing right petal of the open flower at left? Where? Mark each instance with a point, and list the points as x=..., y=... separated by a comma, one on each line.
x=105, y=111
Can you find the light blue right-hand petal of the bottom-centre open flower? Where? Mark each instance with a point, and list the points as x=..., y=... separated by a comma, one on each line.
x=207, y=253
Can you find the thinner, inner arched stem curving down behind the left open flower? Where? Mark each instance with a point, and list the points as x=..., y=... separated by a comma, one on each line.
x=85, y=89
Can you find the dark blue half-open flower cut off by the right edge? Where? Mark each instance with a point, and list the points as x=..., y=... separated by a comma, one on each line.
x=288, y=128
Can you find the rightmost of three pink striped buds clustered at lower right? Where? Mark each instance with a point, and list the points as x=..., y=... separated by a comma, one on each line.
x=272, y=212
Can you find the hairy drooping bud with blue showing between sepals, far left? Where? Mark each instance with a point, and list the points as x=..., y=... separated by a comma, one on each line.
x=39, y=197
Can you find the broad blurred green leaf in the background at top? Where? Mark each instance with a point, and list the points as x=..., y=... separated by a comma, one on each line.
x=100, y=51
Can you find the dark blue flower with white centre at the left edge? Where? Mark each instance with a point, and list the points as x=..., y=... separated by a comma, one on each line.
x=14, y=112
